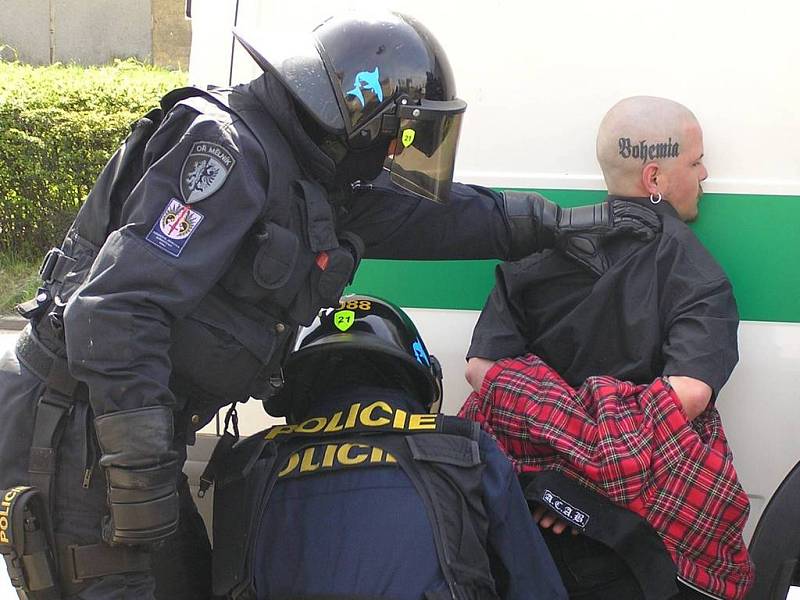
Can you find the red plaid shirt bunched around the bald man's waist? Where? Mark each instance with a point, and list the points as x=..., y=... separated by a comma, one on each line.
x=633, y=444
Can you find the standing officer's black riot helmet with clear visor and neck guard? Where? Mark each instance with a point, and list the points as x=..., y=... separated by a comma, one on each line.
x=374, y=82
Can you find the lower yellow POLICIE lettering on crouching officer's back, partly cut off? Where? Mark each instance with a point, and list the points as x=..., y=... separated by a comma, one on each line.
x=332, y=457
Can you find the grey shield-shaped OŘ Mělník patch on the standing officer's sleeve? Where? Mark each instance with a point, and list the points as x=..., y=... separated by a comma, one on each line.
x=204, y=171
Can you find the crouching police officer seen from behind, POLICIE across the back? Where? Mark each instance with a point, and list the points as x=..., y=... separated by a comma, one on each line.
x=365, y=493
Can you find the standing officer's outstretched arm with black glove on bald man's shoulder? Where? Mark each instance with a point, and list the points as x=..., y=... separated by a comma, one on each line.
x=481, y=223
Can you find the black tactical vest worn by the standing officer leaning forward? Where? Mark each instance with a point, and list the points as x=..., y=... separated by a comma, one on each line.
x=236, y=338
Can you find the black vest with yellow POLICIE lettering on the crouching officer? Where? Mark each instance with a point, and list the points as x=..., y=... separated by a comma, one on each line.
x=439, y=454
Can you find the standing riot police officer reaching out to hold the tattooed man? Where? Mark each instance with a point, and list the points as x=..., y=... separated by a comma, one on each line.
x=223, y=221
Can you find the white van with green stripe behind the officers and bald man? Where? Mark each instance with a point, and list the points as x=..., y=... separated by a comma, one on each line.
x=538, y=77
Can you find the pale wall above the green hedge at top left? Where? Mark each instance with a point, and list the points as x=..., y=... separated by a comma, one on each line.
x=92, y=32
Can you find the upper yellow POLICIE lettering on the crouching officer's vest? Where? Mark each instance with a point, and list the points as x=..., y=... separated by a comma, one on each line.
x=378, y=415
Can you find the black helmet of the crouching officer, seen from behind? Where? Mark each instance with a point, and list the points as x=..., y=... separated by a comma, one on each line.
x=362, y=330
